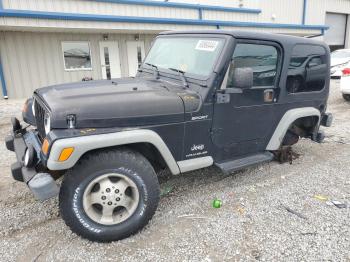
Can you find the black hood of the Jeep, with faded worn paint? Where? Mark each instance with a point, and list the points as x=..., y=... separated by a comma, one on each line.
x=121, y=102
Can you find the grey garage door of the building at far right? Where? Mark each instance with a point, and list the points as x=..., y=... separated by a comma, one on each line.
x=335, y=35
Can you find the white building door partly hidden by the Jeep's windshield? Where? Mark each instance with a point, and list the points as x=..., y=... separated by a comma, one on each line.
x=136, y=54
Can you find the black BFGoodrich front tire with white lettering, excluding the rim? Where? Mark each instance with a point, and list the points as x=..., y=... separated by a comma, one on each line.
x=123, y=161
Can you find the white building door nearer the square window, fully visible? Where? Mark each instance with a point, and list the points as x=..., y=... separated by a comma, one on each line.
x=110, y=61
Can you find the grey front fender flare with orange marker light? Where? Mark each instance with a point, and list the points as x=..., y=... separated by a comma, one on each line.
x=84, y=144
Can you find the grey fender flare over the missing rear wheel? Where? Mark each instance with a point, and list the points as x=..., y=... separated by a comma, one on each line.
x=288, y=118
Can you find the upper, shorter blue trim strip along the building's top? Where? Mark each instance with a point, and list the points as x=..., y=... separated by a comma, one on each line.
x=183, y=5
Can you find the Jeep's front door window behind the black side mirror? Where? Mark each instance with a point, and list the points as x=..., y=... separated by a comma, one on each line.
x=262, y=59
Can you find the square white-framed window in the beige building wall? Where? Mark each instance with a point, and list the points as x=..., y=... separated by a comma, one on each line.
x=77, y=56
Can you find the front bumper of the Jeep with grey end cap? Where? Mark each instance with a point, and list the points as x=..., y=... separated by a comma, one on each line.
x=41, y=184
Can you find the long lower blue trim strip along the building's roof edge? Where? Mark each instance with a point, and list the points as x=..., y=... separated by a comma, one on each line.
x=151, y=20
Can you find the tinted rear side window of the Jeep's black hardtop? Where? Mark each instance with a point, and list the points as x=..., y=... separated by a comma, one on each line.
x=307, y=69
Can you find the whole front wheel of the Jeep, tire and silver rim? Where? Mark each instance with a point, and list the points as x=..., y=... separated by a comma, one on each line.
x=109, y=195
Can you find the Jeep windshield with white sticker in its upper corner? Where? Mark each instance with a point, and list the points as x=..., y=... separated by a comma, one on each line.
x=190, y=55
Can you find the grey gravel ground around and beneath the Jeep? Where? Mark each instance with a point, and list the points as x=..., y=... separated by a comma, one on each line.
x=269, y=212
